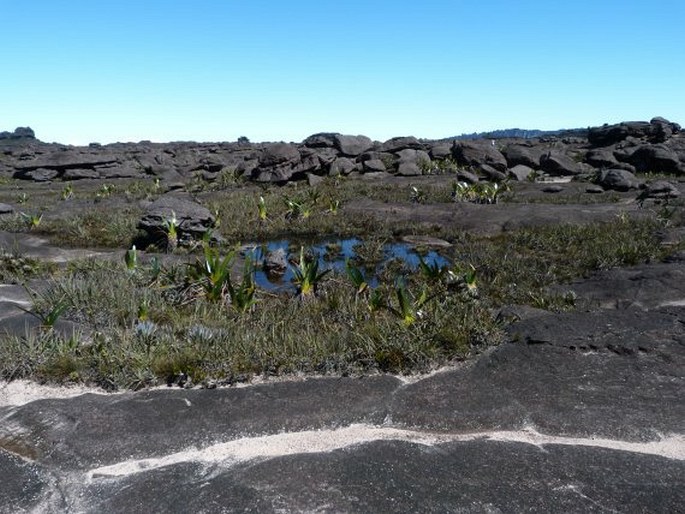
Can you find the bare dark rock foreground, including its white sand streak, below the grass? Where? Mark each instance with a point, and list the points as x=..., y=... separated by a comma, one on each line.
x=578, y=412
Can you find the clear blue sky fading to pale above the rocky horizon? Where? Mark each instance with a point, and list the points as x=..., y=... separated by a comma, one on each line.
x=213, y=70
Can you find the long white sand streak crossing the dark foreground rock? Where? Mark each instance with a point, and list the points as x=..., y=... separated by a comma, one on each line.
x=321, y=441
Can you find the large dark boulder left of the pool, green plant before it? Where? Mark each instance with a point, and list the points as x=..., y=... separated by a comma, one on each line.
x=193, y=219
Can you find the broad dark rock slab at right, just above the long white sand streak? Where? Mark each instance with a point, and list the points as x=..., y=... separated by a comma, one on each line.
x=550, y=378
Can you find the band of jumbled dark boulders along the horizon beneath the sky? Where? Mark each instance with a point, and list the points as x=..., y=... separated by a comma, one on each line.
x=624, y=148
